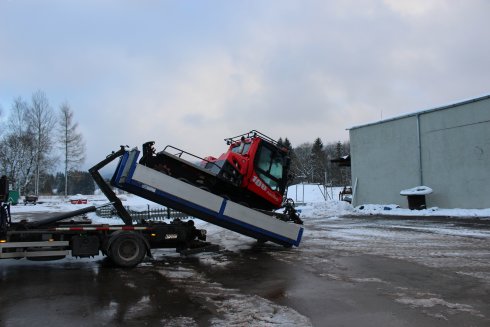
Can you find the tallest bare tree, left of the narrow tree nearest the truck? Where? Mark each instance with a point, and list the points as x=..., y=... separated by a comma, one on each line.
x=41, y=121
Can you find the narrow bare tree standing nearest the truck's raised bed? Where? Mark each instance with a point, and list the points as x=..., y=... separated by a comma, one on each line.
x=71, y=142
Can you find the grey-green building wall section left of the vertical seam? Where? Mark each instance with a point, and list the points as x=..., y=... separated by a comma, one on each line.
x=384, y=160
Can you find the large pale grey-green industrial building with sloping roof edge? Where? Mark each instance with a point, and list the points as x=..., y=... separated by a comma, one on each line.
x=446, y=149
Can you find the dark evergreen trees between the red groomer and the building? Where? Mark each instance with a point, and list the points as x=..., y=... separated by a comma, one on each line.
x=311, y=162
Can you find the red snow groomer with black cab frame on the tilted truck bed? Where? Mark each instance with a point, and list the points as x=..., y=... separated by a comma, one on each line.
x=253, y=172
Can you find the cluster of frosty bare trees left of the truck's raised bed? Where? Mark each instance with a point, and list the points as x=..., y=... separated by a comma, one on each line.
x=35, y=140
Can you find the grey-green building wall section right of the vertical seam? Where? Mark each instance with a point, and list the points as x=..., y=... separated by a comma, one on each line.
x=456, y=155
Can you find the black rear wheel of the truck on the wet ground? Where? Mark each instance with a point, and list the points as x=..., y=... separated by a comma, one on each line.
x=127, y=250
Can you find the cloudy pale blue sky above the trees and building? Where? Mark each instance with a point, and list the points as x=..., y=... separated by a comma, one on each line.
x=190, y=73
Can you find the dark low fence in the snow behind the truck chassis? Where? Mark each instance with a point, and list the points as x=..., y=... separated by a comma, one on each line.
x=154, y=214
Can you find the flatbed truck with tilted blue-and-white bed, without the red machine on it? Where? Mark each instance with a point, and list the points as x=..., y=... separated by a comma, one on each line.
x=128, y=244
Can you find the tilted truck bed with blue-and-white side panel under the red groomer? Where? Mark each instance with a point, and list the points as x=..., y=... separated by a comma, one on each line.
x=174, y=193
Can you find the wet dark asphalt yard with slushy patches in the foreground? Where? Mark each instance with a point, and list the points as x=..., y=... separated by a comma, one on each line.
x=419, y=277
